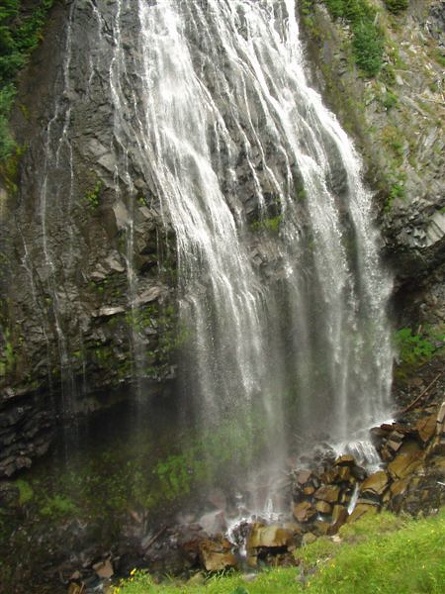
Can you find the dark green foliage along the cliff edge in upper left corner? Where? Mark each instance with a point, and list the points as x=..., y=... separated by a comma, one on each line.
x=21, y=24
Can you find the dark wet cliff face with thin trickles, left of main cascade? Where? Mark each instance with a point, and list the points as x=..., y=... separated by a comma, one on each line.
x=87, y=294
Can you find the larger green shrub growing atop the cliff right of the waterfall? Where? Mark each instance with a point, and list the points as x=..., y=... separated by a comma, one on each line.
x=367, y=36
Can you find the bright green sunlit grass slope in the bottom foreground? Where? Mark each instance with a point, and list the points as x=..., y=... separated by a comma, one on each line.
x=382, y=554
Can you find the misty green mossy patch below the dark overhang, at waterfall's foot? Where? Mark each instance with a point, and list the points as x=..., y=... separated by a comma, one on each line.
x=147, y=471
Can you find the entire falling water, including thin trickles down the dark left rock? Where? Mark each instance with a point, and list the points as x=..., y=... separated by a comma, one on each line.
x=282, y=295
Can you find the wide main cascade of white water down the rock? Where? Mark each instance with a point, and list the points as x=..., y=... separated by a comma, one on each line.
x=282, y=291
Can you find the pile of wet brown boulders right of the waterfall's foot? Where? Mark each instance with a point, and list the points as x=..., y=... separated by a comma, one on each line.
x=411, y=477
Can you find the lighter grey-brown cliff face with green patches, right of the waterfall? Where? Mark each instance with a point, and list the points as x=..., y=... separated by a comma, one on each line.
x=397, y=119
